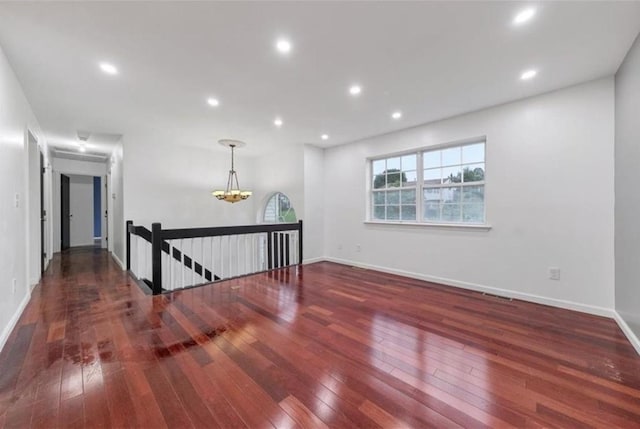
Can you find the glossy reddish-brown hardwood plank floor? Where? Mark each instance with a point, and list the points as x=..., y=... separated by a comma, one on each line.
x=324, y=345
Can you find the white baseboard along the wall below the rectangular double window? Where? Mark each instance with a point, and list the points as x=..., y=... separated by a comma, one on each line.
x=569, y=305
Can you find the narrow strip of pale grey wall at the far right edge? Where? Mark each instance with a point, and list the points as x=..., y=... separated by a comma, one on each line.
x=627, y=204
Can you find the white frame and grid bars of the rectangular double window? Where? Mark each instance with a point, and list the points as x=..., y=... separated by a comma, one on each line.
x=420, y=186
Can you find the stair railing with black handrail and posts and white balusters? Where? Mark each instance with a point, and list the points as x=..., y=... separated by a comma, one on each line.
x=170, y=259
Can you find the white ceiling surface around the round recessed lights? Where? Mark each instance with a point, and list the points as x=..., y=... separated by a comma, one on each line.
x=429, y=59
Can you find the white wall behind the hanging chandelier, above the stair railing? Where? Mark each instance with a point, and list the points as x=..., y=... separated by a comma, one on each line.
x=172, y=183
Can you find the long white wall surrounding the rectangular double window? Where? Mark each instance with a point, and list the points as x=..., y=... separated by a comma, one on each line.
x=549, y=200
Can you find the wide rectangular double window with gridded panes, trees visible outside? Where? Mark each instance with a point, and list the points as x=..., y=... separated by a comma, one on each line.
x=448, y=187
